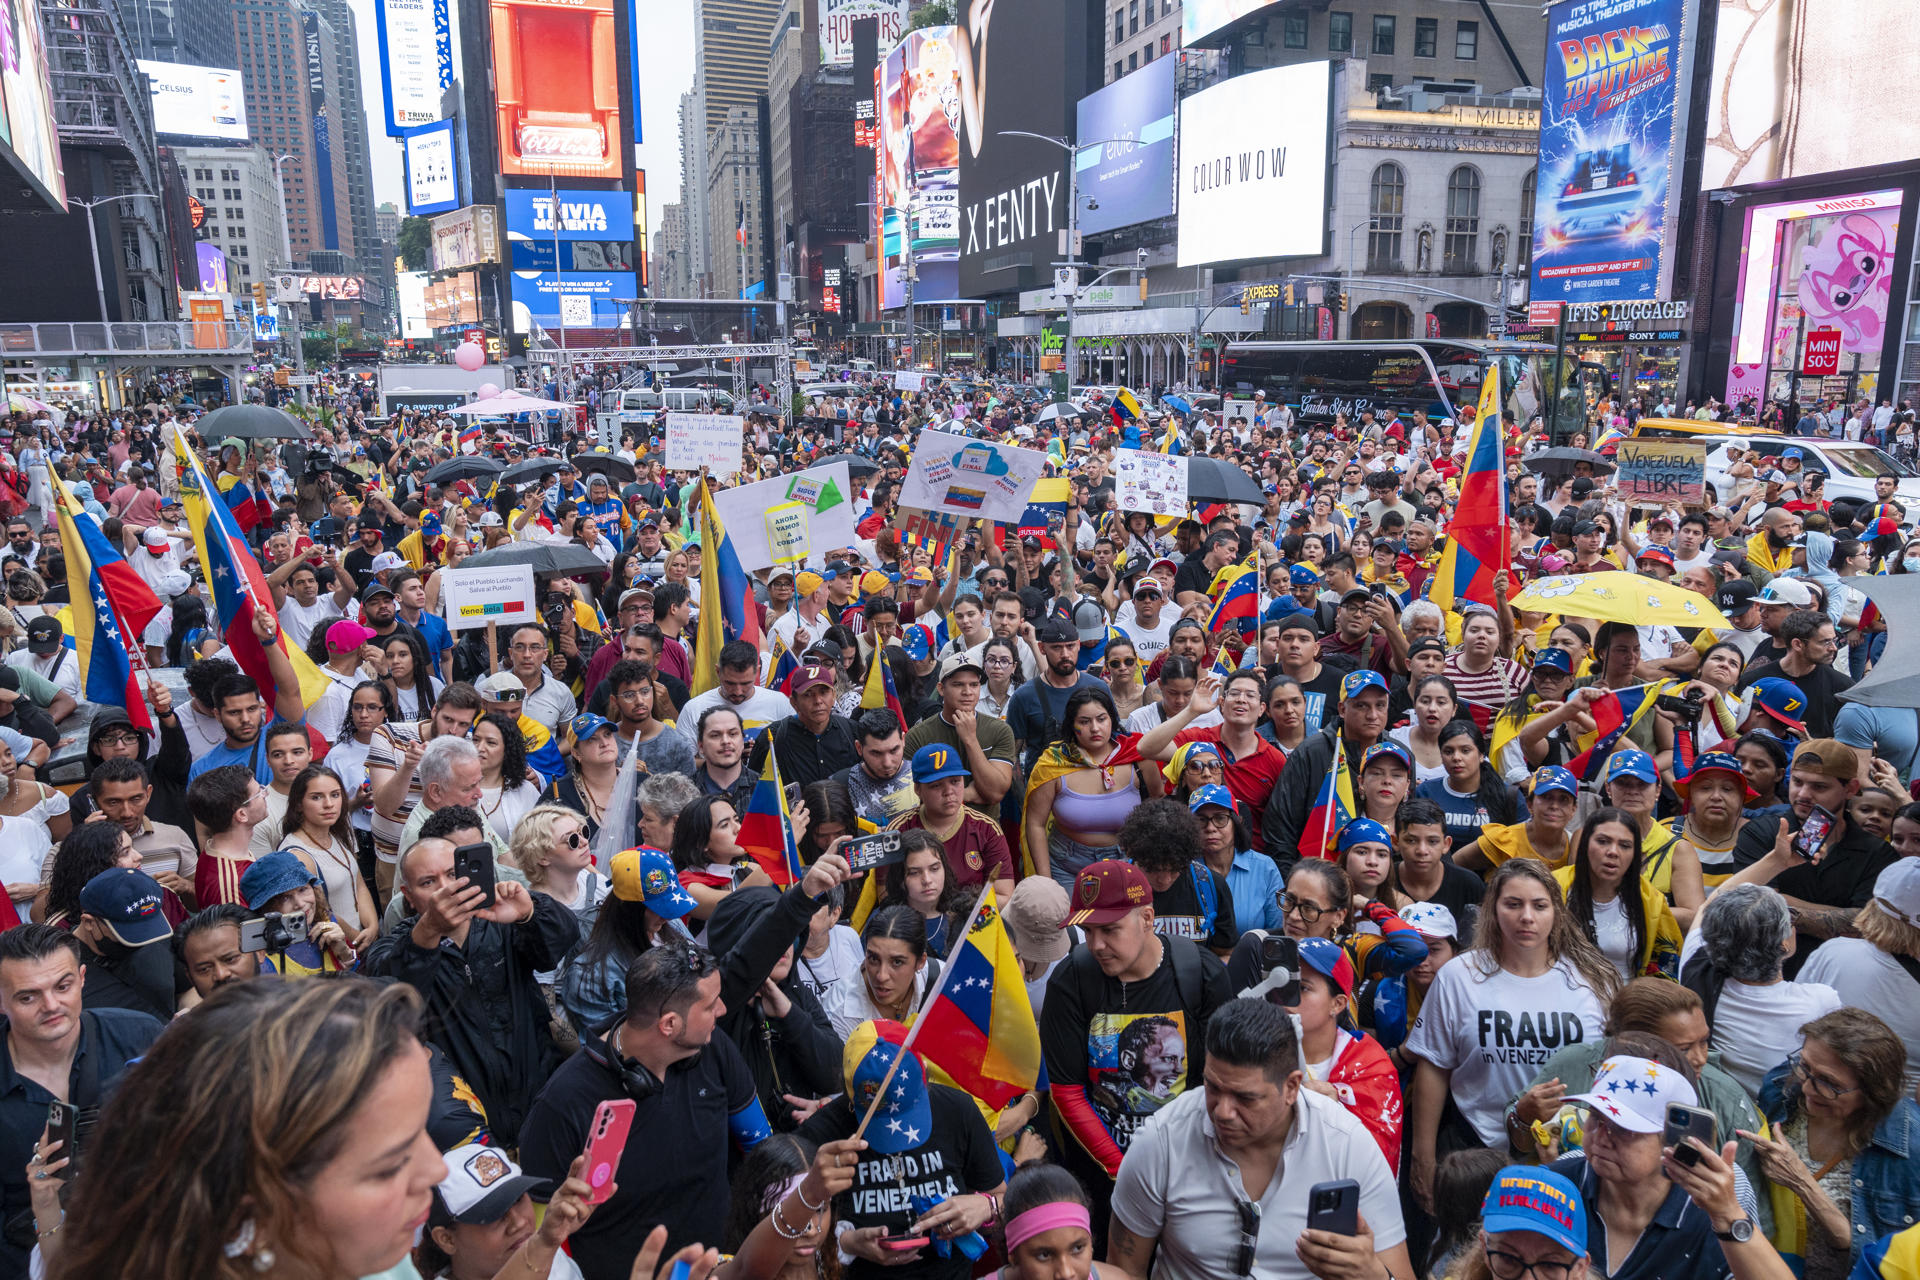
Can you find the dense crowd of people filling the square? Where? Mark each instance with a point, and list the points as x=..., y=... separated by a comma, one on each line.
x=352, y=984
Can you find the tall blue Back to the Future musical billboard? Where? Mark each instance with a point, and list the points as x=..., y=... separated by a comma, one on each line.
x=1612, y=137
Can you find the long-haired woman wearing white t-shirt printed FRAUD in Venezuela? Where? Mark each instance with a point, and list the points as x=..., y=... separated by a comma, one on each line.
x=1531, y=962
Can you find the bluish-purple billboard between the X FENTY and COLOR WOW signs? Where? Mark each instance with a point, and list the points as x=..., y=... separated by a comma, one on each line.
x=1126, y=156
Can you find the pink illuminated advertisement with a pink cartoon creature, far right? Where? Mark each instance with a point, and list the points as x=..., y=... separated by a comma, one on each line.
x=1813, y=293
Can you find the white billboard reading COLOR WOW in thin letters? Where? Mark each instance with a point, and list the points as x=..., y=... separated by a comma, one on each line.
x=1255, y=166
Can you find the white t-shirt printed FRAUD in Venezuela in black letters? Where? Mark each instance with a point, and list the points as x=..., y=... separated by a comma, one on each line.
x=1497, y=1031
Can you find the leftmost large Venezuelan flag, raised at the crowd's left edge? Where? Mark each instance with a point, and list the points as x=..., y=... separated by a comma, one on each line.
x=116, y=611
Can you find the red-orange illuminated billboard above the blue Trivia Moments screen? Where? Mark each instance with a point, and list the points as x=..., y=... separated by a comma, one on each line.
x=558, y=87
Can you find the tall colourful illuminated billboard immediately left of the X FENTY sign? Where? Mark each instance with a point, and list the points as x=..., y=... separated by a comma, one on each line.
x=919, y=166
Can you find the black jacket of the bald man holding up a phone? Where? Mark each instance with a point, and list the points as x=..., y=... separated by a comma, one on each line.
x=506, y=1066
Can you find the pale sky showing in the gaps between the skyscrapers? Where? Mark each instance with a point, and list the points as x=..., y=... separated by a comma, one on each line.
x=667, y=37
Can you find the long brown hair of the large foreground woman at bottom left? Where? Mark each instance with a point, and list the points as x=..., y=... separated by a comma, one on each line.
x=258, y=1085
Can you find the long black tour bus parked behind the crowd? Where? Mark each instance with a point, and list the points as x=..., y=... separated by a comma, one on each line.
x=1439, y=375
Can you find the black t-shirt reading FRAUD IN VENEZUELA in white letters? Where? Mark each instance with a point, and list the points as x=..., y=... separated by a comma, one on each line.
x=957, y=1160
